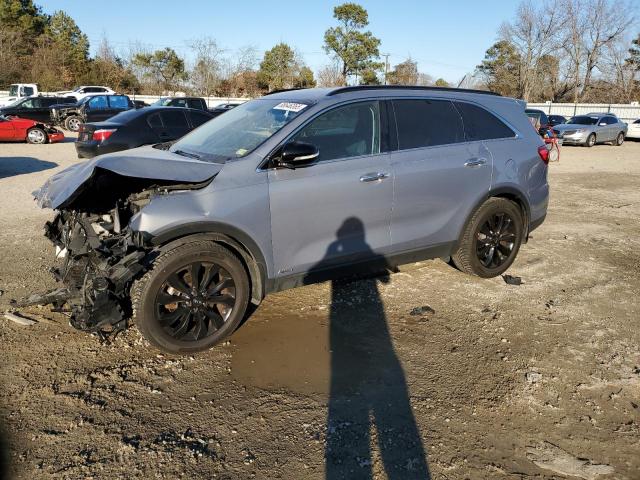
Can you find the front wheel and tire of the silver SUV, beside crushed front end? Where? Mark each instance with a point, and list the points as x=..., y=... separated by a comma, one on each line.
x=195, y=296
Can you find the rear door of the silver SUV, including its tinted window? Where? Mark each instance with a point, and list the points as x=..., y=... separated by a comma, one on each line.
x=439, y=174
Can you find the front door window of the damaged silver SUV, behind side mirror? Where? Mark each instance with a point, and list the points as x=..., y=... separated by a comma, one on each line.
x=348, y=131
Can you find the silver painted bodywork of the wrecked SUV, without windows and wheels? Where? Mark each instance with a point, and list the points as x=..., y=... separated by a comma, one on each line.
x=291, y=216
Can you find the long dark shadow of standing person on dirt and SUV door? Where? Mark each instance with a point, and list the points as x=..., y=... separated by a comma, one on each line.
x=368, y=390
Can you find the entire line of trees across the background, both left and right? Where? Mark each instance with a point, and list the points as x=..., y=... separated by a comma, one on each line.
x=561, y=50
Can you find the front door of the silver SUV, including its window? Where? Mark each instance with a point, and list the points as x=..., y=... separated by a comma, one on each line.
x=338, y=210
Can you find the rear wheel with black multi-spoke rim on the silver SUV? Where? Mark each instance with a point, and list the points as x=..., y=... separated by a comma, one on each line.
x=491, y=239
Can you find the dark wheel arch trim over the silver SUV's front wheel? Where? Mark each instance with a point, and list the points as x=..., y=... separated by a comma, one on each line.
x=231, y=237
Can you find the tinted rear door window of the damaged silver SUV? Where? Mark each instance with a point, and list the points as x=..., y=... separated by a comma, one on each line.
x=427, y=123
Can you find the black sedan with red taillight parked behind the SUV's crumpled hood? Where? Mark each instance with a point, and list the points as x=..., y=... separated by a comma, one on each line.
x=135, y=128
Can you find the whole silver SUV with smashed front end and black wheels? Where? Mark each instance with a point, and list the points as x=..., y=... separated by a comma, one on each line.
x=289, y=189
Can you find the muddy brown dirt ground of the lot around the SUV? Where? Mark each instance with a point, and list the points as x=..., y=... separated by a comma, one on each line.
x=429, y=370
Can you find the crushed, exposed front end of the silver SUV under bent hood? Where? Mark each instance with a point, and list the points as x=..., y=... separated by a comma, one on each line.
x=98, y=255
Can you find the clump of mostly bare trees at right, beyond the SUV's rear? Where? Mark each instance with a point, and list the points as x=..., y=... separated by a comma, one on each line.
x=566, y=51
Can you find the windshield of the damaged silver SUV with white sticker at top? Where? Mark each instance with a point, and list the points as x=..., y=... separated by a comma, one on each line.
x=239, y=131
